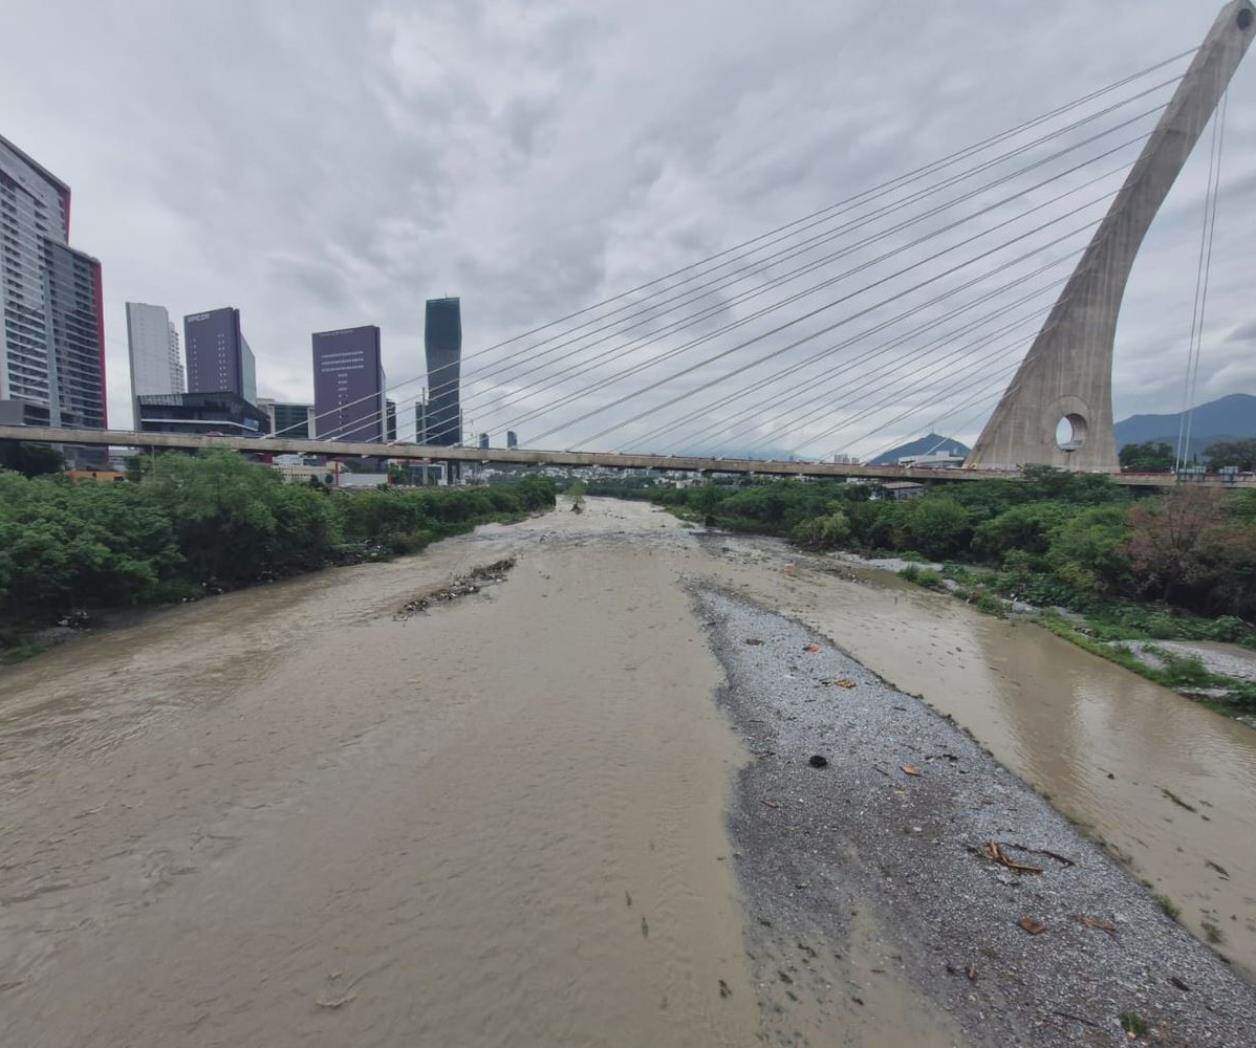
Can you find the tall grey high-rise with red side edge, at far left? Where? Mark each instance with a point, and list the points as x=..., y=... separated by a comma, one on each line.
x=52, y=316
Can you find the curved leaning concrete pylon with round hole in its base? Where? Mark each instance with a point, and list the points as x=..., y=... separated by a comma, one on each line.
x=1068, y=370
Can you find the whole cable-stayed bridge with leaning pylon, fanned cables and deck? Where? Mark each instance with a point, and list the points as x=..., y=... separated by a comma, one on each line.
x=988, y=281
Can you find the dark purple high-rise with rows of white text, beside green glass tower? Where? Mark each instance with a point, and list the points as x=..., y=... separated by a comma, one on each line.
x=350, y=385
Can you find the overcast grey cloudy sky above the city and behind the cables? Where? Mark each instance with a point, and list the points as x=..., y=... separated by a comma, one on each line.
x=323, y=164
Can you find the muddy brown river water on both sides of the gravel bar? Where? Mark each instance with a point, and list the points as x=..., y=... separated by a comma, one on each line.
x=286, y=816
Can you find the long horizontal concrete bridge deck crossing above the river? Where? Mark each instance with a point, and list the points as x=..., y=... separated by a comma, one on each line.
x=539, y=458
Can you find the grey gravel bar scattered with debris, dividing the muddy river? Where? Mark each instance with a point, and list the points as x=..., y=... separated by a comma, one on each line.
x=914, y=819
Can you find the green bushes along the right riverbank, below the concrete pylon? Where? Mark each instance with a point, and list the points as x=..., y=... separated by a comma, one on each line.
x=1107, y=570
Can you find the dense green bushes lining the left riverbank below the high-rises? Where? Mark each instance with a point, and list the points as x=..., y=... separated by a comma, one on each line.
x=204, y=525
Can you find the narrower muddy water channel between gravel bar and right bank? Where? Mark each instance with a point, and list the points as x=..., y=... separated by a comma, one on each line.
x=1169, y=785
